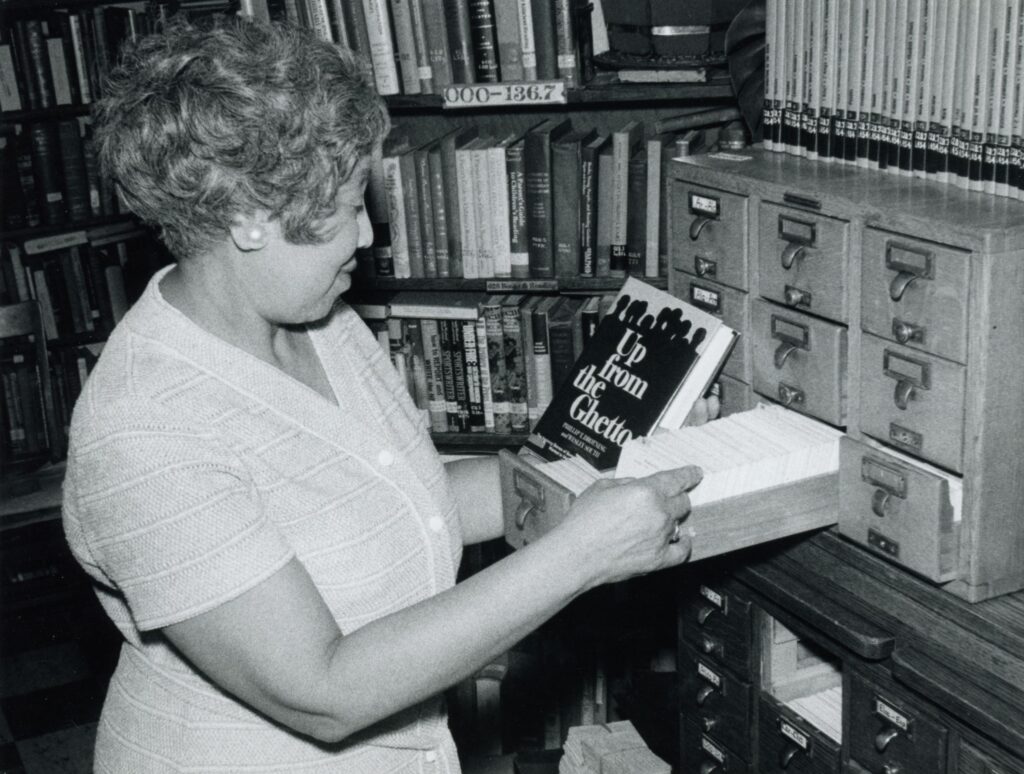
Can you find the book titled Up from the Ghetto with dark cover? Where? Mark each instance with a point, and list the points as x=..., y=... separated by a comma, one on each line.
x=652, y=358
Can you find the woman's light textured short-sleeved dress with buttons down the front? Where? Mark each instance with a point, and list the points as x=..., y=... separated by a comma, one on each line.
x=195, y=472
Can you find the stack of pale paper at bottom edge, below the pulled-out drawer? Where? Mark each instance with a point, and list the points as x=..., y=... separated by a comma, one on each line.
x=609, y=749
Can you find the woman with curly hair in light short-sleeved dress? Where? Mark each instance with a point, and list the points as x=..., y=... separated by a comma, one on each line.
x=249, y=485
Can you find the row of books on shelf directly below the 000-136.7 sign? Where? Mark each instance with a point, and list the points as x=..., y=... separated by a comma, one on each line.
x=554, y=201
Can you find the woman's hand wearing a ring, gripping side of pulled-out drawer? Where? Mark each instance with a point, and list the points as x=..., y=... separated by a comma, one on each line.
x=628, y=527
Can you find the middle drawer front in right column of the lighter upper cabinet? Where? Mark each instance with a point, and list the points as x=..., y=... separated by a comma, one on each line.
x=913, y=401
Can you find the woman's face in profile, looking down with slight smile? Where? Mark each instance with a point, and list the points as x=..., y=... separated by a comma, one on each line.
x=295, y=284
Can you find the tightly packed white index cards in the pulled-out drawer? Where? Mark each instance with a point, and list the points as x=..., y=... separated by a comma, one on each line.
x=741, y=454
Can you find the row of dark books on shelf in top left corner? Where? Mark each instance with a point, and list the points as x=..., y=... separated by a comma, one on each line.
x=62, y=58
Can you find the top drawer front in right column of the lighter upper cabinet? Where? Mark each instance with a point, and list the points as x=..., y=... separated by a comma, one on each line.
x=916, y=293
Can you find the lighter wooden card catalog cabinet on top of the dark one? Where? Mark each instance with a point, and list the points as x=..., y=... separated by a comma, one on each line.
x=890, y=308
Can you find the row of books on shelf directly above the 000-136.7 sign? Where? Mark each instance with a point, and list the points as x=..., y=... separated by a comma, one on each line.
x=424, y=47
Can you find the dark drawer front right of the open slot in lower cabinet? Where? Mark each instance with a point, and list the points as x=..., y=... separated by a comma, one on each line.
x=888, y=734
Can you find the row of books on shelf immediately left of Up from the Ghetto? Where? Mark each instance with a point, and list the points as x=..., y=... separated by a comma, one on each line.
x=483, y=363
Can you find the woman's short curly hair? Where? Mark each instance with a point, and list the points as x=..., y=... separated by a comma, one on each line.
x=203, y=123
